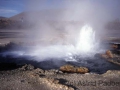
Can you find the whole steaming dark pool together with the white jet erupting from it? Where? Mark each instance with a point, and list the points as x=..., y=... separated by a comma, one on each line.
x=82, y=53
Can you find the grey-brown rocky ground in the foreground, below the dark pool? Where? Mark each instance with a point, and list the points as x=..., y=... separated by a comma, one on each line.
x=27, y=77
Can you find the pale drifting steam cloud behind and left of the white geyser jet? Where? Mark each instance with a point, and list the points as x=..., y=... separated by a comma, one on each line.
x=57, y=23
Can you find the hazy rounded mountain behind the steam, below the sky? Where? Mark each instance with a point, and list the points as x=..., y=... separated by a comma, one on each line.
x=53, y=18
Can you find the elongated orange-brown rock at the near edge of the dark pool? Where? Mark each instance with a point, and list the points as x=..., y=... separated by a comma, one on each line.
x=74, y=69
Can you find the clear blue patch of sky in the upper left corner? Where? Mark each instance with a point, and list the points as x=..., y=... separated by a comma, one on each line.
x=9, y=8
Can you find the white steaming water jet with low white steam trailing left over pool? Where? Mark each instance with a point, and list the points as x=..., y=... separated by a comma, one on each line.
x=86, y=45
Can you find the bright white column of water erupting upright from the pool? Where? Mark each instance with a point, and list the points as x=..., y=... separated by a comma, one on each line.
x=86, y=41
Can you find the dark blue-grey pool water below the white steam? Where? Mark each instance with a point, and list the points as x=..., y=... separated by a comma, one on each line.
x=94, y=64
